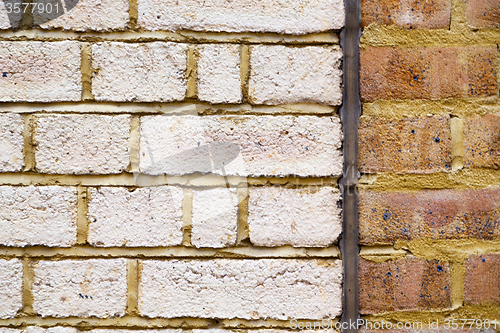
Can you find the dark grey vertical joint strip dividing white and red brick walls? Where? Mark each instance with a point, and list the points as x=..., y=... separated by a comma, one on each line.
x=350, y=113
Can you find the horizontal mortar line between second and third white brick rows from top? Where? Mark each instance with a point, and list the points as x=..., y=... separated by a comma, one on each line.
x=174, y=108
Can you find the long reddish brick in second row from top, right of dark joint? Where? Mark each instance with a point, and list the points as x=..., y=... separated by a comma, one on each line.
x=427, y=72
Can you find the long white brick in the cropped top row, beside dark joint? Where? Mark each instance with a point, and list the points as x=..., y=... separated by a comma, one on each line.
x=288, y=17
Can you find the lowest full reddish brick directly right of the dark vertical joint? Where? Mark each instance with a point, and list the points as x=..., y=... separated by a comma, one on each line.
x=408, y=284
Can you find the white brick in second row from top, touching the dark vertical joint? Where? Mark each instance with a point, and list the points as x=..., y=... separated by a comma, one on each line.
x=283, y=75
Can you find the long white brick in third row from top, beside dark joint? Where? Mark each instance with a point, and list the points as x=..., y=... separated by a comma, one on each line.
x=247, y=145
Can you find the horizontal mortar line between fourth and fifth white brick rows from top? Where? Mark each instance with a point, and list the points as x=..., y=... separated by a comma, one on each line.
x=246, y=252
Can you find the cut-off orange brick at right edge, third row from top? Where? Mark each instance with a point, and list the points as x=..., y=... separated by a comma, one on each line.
x=482, y=142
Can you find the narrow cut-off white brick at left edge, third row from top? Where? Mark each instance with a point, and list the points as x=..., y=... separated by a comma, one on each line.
x=11, y=142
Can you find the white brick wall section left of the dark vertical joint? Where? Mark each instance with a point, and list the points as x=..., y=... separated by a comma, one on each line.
x=169, y=166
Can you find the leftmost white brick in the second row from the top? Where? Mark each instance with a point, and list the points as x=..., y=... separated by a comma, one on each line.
x=40, y=71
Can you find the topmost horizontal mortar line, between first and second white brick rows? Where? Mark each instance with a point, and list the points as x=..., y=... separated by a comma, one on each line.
x=330, y=37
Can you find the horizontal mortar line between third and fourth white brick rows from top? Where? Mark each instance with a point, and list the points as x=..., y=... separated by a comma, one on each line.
x=128, y=180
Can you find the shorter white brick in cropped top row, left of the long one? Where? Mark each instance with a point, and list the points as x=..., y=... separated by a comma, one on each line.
x=87, y=15
